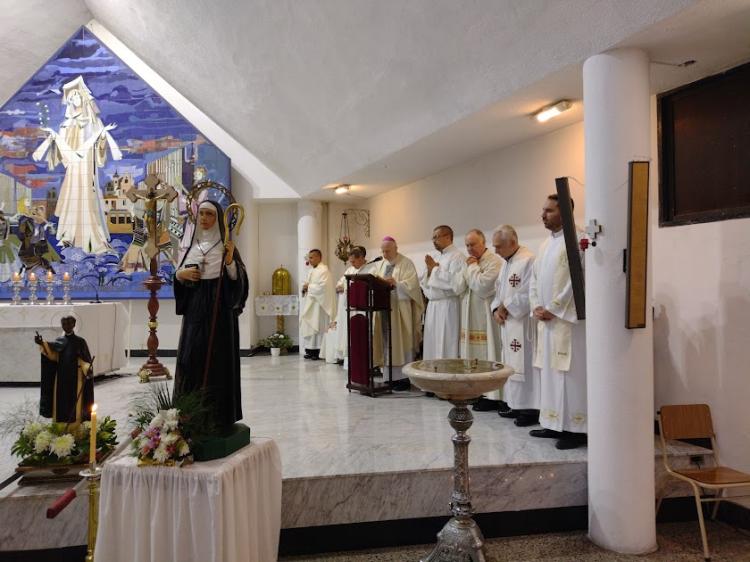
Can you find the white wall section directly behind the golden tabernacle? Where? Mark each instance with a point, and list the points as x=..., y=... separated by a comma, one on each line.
x=277, y=246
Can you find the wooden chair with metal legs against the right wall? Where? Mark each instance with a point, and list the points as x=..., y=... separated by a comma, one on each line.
x=693, y=421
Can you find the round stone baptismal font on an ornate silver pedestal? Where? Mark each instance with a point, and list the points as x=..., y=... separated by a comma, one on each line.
x=461, y=381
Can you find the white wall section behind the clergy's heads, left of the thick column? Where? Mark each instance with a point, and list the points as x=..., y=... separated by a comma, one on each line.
x=506, y=186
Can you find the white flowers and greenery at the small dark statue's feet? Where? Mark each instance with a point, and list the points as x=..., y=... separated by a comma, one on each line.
x=48, y=444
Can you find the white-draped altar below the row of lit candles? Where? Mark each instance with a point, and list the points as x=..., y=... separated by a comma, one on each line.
x=102, y=325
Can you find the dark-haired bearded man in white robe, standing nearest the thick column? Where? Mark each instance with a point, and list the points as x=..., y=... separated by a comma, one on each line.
x=560, y=351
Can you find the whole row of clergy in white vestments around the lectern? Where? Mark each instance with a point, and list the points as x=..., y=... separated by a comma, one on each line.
x=508, y=306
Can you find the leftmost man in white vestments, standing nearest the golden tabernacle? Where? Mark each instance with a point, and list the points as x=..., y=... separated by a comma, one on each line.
x=318, y=305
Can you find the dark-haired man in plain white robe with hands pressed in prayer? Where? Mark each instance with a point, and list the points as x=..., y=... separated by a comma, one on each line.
x=443, y=316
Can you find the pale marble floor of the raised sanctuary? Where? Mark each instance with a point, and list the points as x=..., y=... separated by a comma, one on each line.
x=322, y=429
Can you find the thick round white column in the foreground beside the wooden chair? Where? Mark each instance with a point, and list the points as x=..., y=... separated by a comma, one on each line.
x=619, y=361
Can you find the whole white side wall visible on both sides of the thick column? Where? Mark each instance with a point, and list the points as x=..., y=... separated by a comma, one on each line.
x=701, y=273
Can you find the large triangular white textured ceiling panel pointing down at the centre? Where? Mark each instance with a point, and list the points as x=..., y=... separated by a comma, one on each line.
x=321, y=89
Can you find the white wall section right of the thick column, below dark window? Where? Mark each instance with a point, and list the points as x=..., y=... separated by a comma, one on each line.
x=701, y=307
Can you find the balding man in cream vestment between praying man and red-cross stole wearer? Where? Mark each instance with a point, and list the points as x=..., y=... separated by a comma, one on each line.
x=480, y=335
